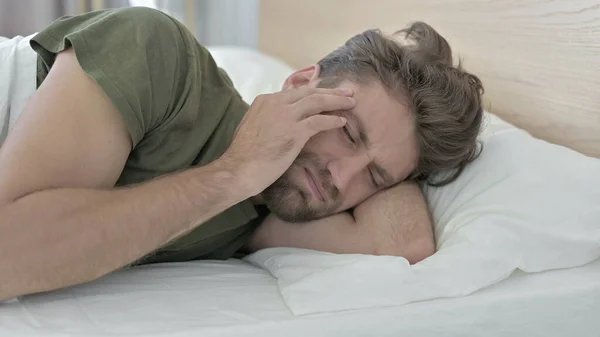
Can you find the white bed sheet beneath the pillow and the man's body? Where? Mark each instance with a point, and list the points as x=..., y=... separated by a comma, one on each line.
x=233, y=298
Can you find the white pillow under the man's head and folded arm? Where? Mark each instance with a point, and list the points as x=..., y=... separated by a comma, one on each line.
x=523, y=204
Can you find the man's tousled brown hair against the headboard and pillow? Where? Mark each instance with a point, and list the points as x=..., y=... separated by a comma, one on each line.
x=445, y=99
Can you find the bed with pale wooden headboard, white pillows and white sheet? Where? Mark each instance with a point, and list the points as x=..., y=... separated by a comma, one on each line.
x=538, y=276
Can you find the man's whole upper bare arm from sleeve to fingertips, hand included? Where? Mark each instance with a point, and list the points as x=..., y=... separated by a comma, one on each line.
x=62, y=222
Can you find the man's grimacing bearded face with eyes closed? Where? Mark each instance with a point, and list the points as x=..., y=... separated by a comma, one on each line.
x=340, y=168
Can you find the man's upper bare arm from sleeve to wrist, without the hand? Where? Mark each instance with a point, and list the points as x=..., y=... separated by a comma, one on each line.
x=61, y=223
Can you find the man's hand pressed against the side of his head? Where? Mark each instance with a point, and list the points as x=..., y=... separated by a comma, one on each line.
x=277, y=126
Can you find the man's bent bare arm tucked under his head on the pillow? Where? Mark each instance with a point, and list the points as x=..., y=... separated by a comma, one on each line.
x=392, y=222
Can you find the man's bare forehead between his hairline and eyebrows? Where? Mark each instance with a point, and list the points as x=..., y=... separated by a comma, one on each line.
x=389, y=126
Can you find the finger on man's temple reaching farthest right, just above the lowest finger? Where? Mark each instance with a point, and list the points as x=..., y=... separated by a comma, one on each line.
x=318, y=103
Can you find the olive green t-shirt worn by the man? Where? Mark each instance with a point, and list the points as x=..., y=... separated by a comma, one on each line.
x=180, y=108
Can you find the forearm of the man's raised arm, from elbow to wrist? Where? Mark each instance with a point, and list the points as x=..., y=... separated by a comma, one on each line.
x=61, y=237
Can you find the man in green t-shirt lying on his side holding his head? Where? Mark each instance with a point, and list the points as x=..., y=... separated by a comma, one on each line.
x=137, y=149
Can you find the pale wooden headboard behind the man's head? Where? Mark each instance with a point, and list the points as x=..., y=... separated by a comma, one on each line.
x=539, y=60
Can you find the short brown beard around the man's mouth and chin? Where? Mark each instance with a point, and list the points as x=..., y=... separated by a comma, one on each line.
x=291, y=200
